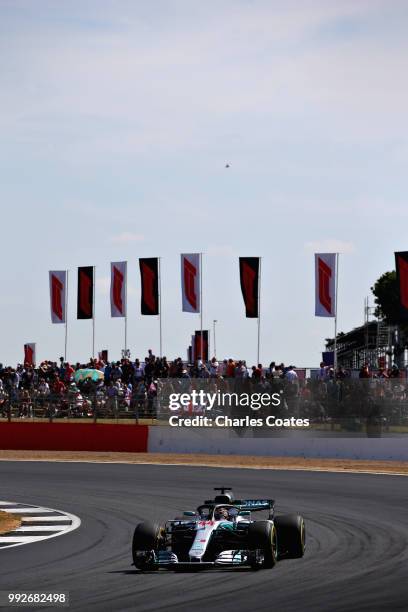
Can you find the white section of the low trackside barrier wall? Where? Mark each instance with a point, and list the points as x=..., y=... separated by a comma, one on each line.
x=223, y=442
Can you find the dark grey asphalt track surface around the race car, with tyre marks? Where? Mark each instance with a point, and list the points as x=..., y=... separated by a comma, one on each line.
x=357, y=539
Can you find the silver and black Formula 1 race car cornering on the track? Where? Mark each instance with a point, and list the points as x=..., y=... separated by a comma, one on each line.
x=220, y=533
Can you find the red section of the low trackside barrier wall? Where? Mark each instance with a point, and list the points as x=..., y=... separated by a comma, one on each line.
x=74, y=437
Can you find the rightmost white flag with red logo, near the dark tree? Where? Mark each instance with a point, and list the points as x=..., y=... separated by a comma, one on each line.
x=325, y=284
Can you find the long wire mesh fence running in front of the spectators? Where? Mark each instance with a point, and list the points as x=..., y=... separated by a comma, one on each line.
x=348, y=404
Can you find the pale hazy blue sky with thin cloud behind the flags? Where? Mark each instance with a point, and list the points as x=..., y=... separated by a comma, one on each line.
x=116, y=121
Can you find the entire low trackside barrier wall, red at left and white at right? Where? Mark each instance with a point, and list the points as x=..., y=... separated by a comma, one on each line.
x=65, y=436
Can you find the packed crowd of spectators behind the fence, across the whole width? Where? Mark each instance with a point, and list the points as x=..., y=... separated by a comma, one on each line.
x=130, y=387
